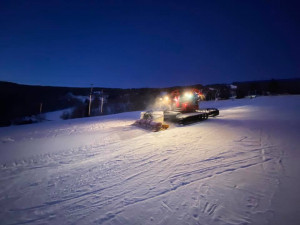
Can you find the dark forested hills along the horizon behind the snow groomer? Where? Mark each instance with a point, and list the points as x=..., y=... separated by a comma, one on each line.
x=18, y=101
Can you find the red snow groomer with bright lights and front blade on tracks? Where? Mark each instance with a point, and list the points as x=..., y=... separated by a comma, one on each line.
x=179, y=107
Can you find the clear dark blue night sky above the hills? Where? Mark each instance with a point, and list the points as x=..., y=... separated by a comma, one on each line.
x=131, y=44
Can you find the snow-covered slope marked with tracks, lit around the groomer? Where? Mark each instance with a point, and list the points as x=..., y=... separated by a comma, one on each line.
x=239, y=168
